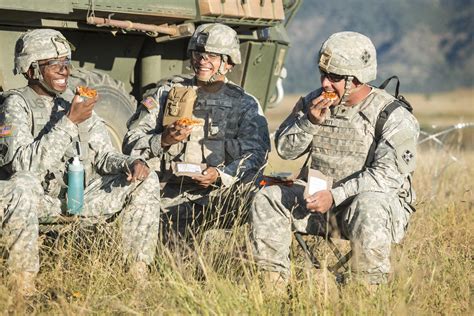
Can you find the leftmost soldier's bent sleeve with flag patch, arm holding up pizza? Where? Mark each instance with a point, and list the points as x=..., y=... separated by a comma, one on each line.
x=25, y=153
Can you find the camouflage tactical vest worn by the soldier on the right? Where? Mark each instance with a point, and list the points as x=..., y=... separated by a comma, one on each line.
x=340, y=147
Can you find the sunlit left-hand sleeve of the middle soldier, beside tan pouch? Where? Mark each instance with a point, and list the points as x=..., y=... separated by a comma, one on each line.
x=144, y=127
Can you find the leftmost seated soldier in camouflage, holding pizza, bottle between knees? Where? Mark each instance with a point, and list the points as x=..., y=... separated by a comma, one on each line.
x=44, y=125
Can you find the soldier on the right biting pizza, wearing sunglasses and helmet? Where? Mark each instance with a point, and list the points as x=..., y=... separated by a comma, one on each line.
x=369, y=201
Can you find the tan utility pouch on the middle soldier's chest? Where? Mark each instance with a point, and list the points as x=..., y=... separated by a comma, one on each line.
x=179, y=104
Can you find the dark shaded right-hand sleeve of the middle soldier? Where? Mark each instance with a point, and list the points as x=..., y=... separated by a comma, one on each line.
x=252, y=142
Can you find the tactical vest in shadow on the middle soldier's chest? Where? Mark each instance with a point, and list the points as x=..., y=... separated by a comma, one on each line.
x=207, y=144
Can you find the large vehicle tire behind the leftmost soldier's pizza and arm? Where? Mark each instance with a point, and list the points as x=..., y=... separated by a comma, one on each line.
x=115, y=105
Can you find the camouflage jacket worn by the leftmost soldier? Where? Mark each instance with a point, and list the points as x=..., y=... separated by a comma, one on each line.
x=43, y=139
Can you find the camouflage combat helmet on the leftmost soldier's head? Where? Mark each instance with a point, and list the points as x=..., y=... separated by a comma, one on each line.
x=37, y=45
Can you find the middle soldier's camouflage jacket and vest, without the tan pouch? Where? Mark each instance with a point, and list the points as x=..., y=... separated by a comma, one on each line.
x=234, y=138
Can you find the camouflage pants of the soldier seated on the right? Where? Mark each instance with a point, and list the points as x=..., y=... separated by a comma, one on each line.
x=371, y=221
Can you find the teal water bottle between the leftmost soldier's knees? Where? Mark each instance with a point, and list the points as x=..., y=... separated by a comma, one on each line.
x=75, y=187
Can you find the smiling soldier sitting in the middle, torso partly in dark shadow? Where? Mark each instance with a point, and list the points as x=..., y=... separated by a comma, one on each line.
x=232, y=141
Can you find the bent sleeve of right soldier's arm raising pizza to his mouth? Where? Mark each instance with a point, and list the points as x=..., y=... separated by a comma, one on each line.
x=295, y=134
